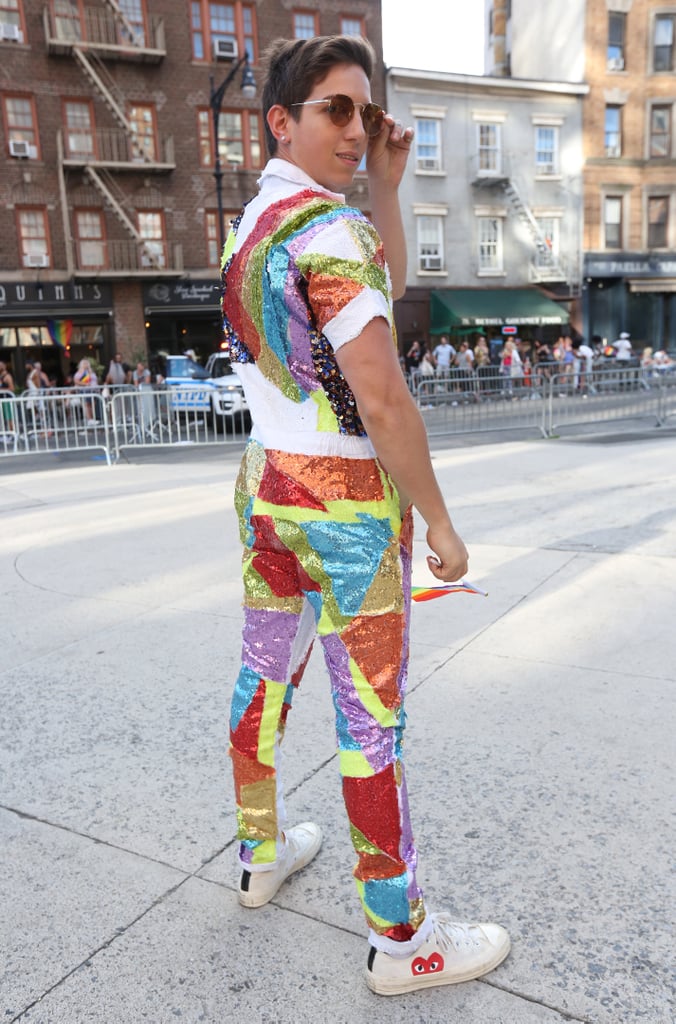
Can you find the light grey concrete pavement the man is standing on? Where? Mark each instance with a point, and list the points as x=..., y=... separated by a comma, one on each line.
x=540, y=751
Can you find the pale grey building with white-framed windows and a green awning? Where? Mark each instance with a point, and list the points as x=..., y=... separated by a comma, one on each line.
x=492, y=203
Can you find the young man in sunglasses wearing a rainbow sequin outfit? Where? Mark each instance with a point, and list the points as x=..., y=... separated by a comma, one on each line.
x=339, y=452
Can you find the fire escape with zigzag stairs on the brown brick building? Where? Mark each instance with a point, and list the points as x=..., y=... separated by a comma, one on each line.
x=101, y=36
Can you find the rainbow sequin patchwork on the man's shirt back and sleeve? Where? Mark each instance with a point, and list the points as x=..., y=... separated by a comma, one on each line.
x=310, y=276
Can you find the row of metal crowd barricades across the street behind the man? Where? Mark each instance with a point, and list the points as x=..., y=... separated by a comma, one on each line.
x=113, y=419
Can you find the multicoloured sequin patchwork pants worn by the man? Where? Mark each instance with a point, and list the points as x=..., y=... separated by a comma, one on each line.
x=328, y=554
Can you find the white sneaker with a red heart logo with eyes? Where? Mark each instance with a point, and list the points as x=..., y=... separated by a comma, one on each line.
x=454, y=953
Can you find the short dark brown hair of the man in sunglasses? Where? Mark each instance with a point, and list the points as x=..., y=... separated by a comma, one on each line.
x=295, y=66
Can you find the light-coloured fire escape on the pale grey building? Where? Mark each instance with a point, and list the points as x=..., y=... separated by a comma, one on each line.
x=547, y=267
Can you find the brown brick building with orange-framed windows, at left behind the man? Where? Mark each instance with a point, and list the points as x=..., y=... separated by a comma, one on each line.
x=109, y=212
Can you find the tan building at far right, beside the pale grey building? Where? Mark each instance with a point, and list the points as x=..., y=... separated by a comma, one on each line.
x=629, y=140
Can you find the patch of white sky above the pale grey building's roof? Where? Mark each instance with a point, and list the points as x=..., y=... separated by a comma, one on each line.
x=435, y=35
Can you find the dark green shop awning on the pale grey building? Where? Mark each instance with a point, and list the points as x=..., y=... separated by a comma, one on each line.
x=463, y=309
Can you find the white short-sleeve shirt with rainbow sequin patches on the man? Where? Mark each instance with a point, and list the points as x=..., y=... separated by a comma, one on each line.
x=304, y=275
